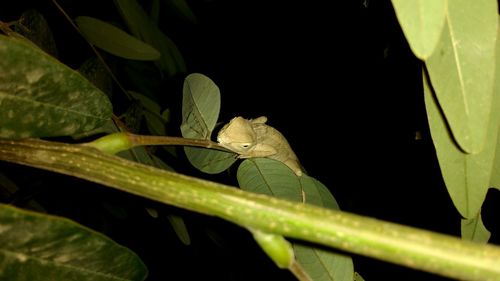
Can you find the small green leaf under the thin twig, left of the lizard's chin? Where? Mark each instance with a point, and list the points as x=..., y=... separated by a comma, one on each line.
x=208, y=160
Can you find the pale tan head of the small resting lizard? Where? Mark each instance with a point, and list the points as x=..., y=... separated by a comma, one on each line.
x=237, y=135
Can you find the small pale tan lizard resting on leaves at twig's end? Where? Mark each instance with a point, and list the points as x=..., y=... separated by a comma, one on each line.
x=253, y=138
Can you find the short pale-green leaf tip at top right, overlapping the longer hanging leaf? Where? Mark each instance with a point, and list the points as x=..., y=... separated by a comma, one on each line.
x=422, y=22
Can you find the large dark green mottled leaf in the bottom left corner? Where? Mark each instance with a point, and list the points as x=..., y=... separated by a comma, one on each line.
x=41, y=247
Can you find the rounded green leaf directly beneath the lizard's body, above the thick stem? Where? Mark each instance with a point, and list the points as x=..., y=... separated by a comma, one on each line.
x=271, y=177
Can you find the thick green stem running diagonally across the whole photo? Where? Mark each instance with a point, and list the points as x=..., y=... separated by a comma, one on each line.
x=425, y=250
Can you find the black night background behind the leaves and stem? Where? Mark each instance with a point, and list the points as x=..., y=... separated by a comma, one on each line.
x=336, y=78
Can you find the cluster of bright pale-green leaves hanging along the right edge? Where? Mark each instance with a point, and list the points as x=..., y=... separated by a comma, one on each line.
x=461, y=93
